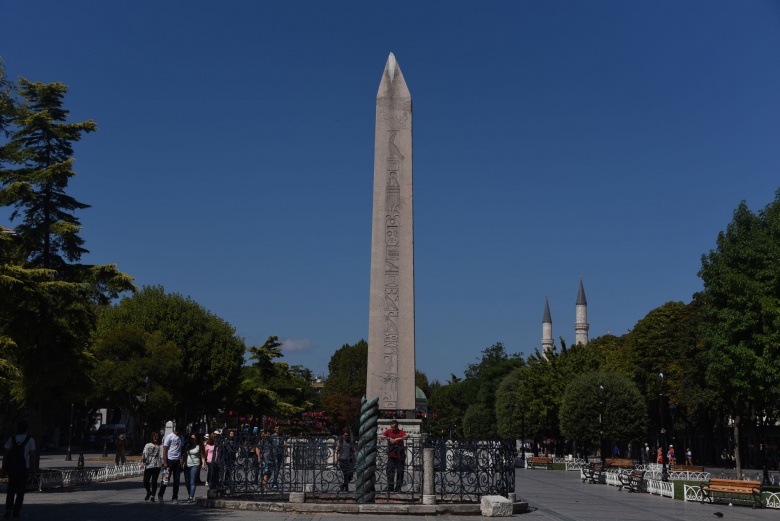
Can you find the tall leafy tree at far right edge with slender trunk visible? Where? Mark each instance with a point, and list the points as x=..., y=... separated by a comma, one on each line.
x=741, y=308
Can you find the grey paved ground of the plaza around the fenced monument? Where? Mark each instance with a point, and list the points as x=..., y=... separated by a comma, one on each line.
x=551, y=495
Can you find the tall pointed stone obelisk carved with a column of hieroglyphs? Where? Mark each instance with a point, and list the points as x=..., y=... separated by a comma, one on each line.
x=391, y=307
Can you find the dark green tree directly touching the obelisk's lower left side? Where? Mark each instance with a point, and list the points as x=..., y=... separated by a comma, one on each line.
x=346, y=383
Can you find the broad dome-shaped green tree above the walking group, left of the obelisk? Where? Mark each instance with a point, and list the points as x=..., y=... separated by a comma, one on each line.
x=212, y=354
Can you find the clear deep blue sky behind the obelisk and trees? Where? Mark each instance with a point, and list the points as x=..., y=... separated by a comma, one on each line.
x=553, y=140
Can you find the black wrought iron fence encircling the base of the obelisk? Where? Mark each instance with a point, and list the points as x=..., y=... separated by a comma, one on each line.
x=464, y=471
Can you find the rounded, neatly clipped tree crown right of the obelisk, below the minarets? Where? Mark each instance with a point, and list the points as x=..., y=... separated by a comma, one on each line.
x=607, y=395
